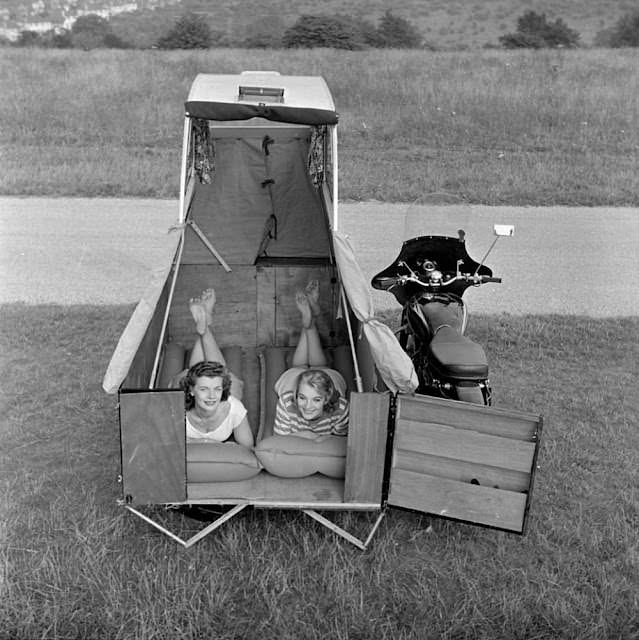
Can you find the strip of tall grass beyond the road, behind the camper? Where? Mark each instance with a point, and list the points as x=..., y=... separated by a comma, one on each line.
x=490, y=127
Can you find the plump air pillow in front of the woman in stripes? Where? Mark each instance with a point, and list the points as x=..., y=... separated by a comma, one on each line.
x=296, y=457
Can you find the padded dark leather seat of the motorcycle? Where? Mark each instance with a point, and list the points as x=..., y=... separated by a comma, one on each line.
x=456, y=356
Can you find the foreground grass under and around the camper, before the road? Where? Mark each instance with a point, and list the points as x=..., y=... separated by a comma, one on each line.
x=74, y=565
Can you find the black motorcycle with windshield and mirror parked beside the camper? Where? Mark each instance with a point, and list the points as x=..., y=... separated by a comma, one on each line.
x=428, y=278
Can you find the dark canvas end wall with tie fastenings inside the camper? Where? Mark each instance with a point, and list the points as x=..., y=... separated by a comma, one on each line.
x=250, y=187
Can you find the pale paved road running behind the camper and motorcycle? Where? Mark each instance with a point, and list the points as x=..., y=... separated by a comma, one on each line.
x=103, y=251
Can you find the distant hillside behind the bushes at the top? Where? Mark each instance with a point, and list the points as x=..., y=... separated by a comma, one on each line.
x=445, y=24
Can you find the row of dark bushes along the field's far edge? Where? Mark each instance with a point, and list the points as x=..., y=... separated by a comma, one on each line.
x=190, y=31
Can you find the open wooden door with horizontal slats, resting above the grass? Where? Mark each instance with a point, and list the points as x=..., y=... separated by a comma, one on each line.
x=464, y=461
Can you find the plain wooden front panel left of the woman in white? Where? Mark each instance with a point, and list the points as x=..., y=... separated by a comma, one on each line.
x=153, y=444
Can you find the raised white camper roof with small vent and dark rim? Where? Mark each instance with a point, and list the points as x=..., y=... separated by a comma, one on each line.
x=303, y=99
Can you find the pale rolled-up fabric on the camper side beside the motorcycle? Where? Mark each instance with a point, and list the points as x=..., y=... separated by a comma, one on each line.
x=391, y=360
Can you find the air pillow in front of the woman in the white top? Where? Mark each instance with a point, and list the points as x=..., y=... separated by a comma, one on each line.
x=220, y=462
